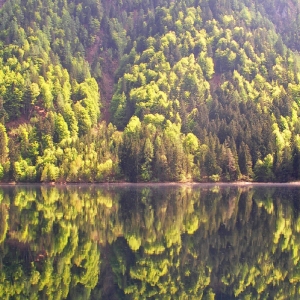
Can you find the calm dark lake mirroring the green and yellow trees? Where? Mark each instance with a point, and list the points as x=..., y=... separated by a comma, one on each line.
x=149, y=241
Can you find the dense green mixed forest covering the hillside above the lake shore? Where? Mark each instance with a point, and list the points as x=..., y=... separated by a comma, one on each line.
x=183, y=90
